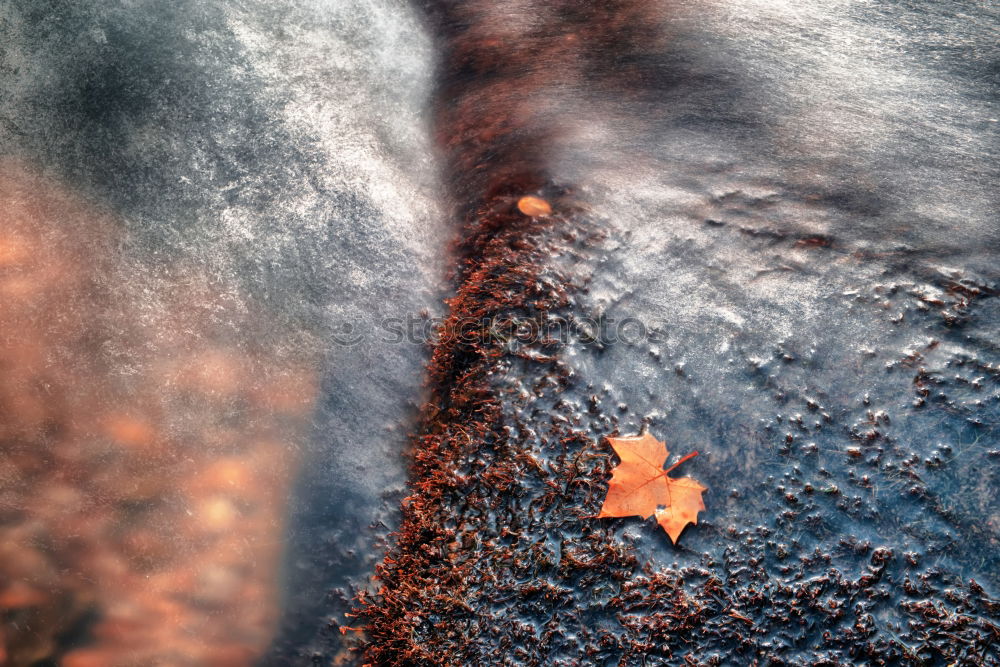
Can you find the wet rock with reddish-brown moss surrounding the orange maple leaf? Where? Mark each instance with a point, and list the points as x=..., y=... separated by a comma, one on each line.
x=816, y=346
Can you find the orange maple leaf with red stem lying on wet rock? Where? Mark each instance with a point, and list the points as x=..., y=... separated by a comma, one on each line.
x=640, y=486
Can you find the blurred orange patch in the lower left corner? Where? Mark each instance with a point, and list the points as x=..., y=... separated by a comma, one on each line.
x=148, y=443
